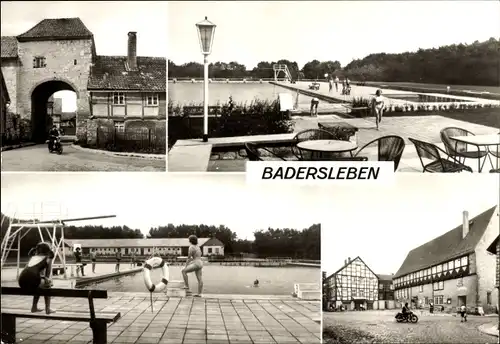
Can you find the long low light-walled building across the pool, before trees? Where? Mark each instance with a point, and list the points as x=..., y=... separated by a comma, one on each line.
x=164, y=246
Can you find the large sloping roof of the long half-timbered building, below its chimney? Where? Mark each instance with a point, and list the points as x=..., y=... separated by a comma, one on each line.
x=447, y=246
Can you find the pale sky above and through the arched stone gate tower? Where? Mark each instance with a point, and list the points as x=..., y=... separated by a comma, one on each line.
x=109, y=21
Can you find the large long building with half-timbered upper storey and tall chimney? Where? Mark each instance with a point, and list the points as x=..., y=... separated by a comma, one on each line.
x=454, y=269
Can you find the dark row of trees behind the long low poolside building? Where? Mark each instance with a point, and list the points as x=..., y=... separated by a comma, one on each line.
x=294, y=243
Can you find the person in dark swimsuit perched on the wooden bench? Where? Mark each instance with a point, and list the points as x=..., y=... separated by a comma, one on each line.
x=31, y=277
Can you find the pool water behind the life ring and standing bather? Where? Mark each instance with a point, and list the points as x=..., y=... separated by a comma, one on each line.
x=224, y=280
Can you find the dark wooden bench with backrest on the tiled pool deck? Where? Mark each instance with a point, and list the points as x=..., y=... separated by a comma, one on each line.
x=98, y=322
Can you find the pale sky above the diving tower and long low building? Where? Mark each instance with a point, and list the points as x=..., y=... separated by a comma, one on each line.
x=142, y=200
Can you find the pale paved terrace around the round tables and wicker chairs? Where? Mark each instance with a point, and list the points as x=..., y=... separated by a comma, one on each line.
x=425, y=128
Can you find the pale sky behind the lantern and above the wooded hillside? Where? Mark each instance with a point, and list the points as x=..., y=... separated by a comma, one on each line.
x=253, y=31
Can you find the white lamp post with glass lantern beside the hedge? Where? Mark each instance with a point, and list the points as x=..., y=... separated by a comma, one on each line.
x=206, y=30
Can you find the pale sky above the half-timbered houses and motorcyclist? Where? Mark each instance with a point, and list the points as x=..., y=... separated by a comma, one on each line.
x=382, y=227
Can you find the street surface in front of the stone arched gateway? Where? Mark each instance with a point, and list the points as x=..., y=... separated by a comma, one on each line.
x=37, y=158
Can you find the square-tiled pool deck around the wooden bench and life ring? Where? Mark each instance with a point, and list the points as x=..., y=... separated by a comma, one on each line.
x=212, y=319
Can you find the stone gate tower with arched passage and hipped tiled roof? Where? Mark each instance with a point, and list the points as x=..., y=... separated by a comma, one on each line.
x=55, y=55
